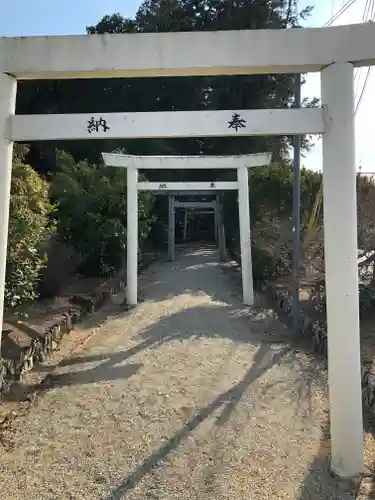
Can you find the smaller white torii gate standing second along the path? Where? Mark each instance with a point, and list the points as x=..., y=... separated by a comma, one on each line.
x=134, y=163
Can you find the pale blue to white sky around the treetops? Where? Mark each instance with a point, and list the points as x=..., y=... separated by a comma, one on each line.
x=43, y=17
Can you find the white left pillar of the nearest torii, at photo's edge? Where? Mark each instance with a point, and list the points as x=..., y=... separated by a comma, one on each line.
x=8, y=89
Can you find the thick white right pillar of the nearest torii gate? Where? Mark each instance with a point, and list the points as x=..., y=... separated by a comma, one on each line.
x=341, y=270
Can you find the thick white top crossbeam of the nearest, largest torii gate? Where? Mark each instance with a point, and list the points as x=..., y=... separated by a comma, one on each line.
x=187, y=53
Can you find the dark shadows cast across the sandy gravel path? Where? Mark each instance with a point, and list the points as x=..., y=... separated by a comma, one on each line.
x=225, y=317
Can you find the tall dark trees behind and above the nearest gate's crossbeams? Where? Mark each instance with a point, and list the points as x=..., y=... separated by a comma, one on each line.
x=163, y=94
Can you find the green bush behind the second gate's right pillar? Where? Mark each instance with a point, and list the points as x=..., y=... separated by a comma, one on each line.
x=271, y=206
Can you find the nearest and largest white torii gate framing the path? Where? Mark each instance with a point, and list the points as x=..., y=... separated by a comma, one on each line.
x=333, y=51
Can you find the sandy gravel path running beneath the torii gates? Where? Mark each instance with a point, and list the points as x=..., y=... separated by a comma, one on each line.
x=190, y=395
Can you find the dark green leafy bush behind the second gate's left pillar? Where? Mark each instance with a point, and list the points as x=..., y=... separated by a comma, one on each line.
x=91, y=213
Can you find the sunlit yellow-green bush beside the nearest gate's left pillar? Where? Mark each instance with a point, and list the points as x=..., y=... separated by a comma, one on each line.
x=28, y=227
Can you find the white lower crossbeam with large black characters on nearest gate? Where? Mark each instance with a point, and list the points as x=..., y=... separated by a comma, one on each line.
x=169, y=124
